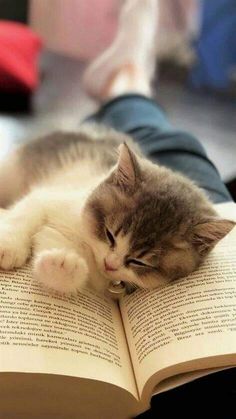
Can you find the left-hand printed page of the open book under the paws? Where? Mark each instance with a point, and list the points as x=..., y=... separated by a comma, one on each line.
x=80, y=336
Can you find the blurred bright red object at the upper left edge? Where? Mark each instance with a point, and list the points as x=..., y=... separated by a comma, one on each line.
x=19, y=49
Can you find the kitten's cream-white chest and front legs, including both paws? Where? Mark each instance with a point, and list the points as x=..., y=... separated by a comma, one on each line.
x=58, y=205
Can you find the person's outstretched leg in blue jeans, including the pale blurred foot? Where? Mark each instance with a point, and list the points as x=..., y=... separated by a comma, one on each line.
x=126, y=88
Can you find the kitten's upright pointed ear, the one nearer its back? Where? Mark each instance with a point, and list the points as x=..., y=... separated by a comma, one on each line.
x=128, y=171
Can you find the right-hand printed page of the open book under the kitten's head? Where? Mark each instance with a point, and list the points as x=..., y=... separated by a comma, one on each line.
x=191, y=321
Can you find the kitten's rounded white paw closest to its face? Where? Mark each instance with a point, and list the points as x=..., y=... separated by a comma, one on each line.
x=61, y=270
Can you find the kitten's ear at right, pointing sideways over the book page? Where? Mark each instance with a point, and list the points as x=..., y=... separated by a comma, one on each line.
x=209, y=232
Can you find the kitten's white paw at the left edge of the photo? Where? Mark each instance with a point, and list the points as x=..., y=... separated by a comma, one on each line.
x=13, y=250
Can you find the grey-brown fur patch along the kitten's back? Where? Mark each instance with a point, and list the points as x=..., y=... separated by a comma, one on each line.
x=60, y=152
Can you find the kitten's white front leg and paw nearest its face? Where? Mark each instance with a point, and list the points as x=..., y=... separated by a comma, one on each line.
x=57, y=263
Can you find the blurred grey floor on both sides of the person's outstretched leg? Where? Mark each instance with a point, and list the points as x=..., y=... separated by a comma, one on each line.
x=61, y=103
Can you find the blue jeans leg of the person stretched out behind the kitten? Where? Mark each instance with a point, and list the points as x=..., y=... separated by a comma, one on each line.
x=147, y=123
